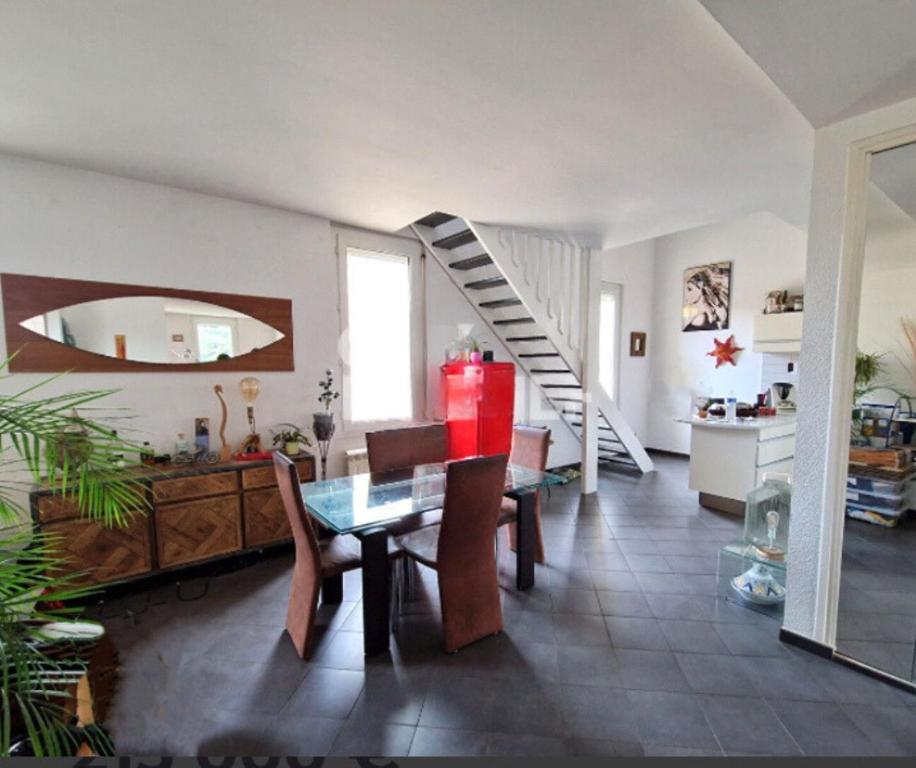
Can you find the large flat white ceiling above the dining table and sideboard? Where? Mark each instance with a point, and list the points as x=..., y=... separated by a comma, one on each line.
x=609, y=121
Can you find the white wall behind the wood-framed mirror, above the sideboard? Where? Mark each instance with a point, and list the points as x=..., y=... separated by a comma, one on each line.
x=62, y=222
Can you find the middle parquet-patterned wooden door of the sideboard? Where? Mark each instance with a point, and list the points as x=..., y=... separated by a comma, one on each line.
x=198, y=530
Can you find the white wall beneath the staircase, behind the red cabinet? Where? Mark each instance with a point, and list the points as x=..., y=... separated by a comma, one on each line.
x=446, y=309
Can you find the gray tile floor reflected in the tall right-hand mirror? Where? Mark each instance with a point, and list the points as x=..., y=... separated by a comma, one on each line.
x=877, y=612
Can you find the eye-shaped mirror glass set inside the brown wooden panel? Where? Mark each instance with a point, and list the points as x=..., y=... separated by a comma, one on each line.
x=155, y=329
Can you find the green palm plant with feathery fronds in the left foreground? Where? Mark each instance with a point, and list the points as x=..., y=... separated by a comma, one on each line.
x=44, y=439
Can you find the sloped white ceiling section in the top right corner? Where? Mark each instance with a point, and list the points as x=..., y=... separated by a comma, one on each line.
x=833, y=58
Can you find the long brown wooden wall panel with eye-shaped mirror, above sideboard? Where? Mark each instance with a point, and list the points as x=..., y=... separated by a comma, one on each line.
x=88, y=326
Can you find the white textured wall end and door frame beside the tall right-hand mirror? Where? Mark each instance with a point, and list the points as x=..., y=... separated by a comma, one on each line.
x=828, y=350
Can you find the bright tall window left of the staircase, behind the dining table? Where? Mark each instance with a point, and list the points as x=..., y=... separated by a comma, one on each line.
x=381, y=352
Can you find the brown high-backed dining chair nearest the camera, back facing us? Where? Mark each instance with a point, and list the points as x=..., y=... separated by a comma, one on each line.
x=461, y=550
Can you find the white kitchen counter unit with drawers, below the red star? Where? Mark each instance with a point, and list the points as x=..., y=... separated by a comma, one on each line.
x=729, y=458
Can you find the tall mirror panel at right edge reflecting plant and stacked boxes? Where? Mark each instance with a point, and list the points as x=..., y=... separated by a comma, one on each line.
x=876, y=621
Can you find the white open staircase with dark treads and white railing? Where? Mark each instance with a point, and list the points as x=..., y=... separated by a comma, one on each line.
x=533, y=292
